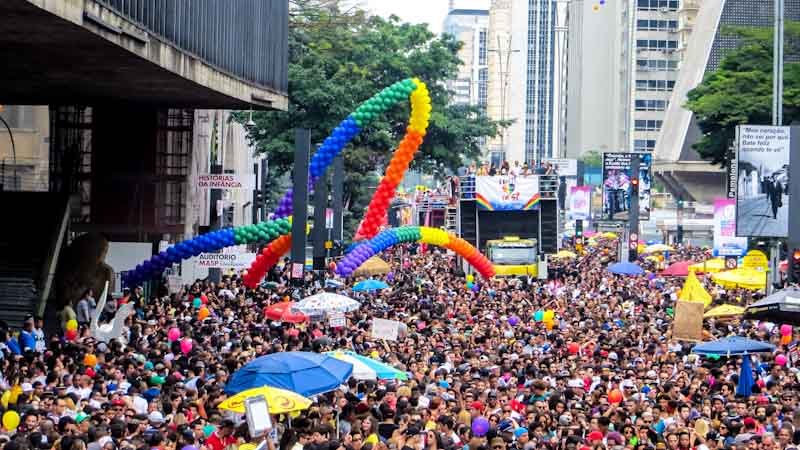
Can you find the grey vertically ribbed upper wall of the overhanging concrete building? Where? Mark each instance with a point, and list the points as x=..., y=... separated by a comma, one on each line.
x=245, y=38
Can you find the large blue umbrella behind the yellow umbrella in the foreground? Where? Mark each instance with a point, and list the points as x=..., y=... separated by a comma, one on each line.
x=302, y=372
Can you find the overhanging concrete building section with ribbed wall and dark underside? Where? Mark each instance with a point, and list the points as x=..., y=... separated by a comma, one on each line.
x=181, y=53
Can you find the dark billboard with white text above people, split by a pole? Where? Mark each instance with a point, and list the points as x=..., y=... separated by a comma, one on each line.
x=617, y=185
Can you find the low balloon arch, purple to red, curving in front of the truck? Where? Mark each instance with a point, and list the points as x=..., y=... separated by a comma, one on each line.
x=402, y=235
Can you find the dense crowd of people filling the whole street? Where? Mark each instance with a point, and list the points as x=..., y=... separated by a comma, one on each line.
x=603, y=374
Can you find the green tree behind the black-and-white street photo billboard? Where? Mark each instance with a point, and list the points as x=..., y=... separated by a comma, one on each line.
x=740, y=90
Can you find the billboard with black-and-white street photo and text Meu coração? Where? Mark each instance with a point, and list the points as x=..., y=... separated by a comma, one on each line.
x=762, y=182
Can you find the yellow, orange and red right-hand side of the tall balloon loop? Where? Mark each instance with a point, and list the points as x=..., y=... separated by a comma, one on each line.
x=417, y=126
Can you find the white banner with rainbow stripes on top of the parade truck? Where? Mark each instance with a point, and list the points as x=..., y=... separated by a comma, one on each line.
x=507, y=192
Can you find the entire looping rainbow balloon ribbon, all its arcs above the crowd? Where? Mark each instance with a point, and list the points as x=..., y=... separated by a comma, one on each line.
x=276, y=233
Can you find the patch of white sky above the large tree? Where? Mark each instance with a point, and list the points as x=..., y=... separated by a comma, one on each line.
x=431, y=12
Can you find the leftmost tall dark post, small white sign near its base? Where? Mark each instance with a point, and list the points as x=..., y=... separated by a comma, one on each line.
x=302, y=148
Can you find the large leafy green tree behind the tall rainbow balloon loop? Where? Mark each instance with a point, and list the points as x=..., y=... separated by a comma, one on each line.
x=337, y=59
